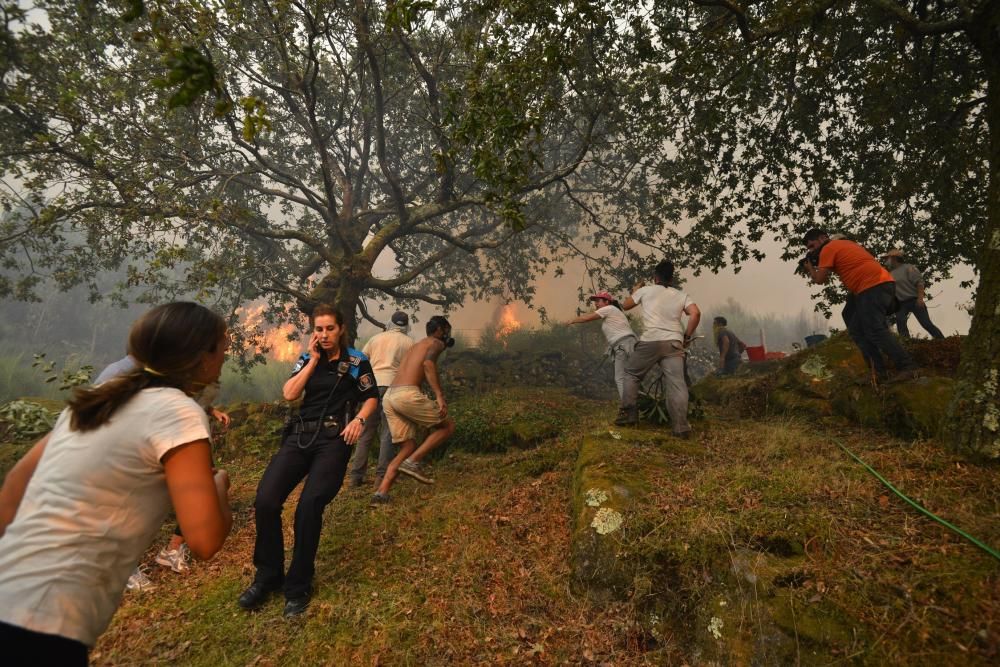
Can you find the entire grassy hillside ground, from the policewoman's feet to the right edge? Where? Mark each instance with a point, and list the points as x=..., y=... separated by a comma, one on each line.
x=759, y=541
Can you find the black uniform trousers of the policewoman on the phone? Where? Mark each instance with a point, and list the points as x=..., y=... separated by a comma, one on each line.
x=323, y=464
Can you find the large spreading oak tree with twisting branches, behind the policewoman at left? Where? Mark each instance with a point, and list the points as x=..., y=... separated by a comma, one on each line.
x=277, y=149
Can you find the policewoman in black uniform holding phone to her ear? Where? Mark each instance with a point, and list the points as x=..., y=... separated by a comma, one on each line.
x=340, y=395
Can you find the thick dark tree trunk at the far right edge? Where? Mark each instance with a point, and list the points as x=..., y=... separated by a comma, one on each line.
x=974, y=415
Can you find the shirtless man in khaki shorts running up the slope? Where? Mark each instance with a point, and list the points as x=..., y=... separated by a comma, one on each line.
x=406, y=407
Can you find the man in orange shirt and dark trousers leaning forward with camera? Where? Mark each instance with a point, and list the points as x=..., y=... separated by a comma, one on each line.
x=872, y=295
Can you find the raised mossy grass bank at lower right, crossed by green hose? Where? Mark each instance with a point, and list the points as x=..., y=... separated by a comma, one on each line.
x=812, y=557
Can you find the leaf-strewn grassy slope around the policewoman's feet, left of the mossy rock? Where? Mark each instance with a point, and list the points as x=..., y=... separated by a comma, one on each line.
x=470, y=569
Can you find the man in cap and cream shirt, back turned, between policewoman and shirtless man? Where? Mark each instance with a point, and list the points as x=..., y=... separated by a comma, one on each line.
x=385, y=350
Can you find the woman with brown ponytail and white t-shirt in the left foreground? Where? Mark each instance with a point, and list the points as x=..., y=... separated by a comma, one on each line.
x=81, y=507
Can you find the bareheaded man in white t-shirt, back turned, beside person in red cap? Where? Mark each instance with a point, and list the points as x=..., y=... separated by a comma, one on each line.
x=662, y=343
